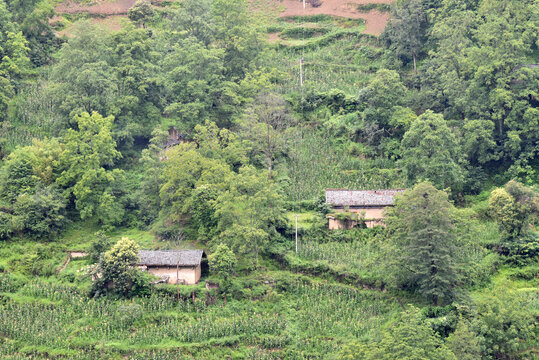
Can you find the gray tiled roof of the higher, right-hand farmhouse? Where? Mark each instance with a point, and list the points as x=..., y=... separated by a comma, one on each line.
x=342, y=197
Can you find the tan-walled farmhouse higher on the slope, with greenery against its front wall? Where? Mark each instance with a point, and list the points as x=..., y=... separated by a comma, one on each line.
x=353, y=207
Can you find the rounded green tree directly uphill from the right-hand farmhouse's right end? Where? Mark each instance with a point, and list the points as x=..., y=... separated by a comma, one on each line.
x=431, y=152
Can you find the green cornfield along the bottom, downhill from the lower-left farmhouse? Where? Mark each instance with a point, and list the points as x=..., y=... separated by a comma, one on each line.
x=313, y=322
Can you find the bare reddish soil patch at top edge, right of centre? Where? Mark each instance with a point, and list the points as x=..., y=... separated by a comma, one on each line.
x=375, y=20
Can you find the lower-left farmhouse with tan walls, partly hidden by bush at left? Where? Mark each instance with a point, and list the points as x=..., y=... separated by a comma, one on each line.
x=183, y=266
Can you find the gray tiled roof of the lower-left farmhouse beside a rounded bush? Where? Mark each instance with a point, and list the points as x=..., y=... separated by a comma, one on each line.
x=170, y=257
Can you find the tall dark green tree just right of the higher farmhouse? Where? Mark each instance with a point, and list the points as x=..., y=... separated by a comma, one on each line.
x=423, y=242
